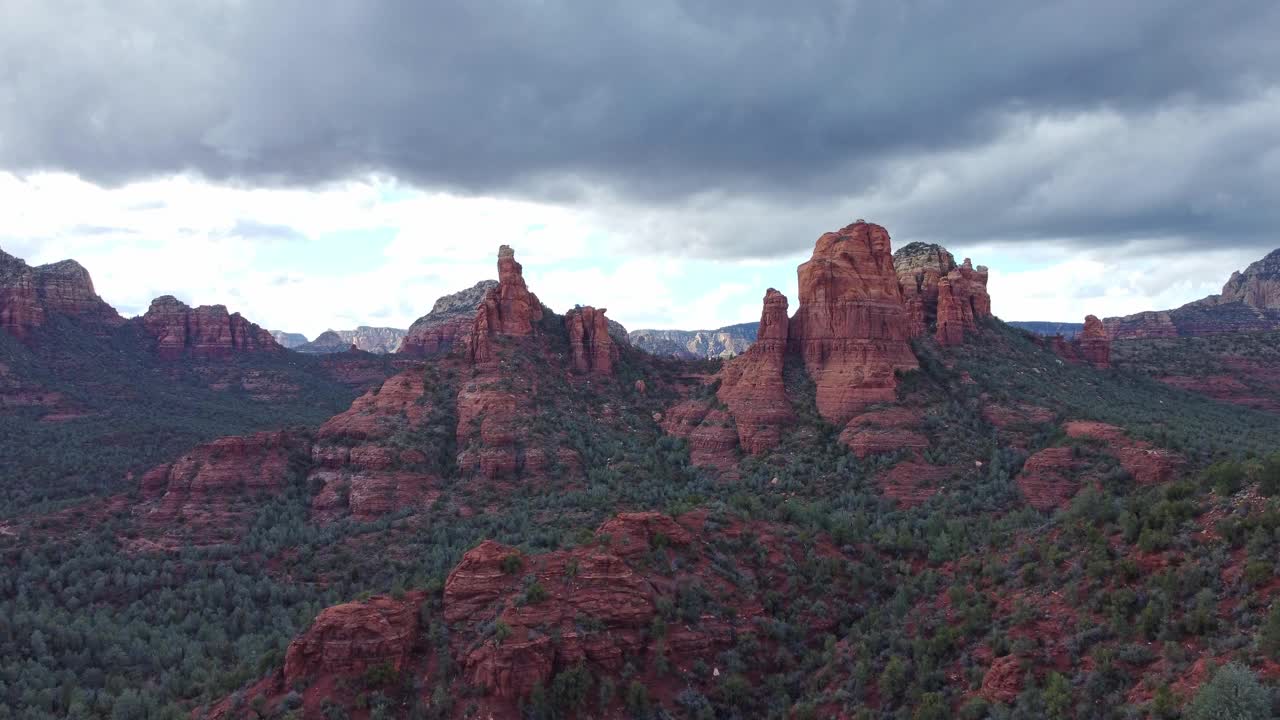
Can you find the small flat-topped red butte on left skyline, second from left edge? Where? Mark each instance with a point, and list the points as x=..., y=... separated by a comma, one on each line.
x=208, y=331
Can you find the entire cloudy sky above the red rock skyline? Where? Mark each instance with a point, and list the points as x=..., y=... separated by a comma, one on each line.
x=336, y=163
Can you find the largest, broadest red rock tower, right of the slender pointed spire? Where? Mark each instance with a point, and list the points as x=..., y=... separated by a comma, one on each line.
x=852, y=329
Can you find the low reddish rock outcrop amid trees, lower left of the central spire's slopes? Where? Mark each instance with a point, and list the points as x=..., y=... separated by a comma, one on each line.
x=211, y=493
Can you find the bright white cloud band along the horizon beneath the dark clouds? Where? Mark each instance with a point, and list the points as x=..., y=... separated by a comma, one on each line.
x=272, y=256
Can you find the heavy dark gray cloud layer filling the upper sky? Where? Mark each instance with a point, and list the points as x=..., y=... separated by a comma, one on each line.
x=724, y=129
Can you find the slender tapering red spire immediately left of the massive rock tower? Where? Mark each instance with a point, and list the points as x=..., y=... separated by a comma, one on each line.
x=752, y=384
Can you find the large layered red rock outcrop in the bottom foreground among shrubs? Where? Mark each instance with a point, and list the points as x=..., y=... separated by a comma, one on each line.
x=518, y=621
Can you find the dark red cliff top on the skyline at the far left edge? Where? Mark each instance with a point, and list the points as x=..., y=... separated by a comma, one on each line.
x=30, y=297
